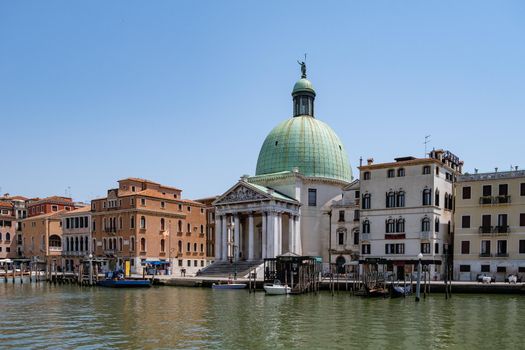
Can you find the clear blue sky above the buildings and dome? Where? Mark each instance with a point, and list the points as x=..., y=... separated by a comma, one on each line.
x=184, y=92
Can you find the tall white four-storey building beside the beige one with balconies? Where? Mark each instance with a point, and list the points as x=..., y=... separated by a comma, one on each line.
x=407, y=209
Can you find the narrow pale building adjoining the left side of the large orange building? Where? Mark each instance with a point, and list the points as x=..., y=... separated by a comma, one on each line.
x=76, y=237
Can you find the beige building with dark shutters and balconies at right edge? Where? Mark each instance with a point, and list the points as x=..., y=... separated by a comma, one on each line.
x=490, y=225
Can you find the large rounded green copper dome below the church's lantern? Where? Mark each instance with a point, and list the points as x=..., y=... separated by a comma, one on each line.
x=308, y=144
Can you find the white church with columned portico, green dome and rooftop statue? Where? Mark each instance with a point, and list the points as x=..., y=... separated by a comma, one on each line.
x=302, y=168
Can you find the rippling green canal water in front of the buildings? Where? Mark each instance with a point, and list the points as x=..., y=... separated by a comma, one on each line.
x=46, y=316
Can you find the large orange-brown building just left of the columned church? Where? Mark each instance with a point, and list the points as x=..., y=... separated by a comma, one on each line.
x=144, y=222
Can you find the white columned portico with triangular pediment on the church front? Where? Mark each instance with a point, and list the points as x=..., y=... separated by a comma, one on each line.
x=254, y=223
